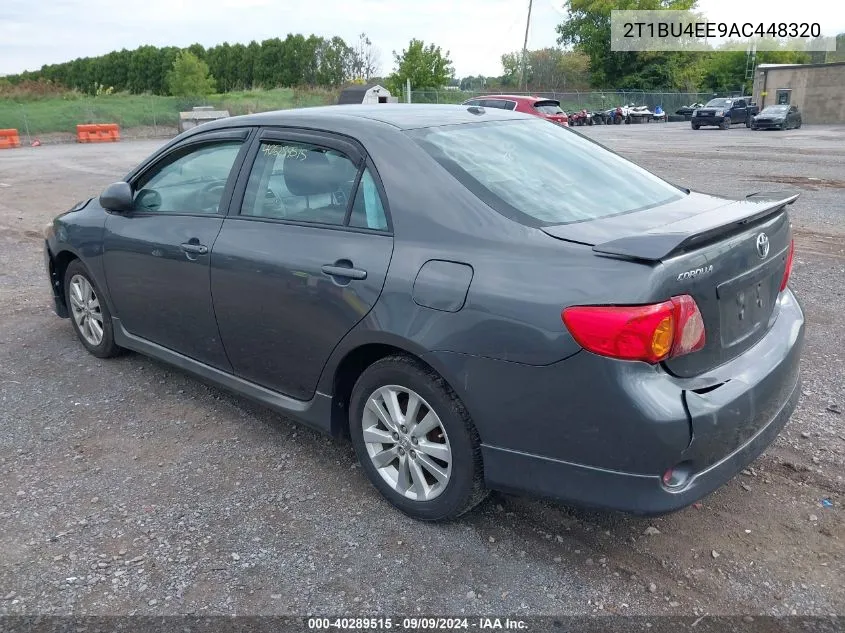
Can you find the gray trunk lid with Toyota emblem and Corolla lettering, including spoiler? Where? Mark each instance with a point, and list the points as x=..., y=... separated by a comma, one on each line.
x=729, y=255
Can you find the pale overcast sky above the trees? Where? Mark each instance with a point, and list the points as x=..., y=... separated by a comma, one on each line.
x=475, y=32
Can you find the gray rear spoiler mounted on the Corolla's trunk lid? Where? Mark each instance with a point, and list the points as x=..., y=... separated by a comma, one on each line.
x=661, y=242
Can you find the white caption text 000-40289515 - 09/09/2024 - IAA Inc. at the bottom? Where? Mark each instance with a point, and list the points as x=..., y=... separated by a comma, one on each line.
x=417, y=624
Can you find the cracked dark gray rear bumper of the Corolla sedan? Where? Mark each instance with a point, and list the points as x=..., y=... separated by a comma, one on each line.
x=601, y=433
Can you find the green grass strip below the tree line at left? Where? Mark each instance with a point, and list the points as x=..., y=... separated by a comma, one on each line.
x=63, y=113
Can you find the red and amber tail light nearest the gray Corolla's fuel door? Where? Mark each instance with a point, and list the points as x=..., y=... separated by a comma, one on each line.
x=650, y=333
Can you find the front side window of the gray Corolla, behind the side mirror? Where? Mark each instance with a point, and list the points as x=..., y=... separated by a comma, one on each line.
x=192, y=183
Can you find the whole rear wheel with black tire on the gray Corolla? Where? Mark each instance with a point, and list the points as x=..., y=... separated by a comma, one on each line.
x=461, y=487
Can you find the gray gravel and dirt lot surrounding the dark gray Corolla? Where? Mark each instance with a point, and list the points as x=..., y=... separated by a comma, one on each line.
x=128, y=487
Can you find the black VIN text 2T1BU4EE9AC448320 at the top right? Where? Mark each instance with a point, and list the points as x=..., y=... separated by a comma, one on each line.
x=705, y=30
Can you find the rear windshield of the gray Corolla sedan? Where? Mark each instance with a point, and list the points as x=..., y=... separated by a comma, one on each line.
x=541, y=174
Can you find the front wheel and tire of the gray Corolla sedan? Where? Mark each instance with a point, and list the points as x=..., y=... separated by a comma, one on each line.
x=86, y=304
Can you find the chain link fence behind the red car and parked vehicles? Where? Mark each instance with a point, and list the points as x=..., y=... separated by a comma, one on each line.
x=572, y=101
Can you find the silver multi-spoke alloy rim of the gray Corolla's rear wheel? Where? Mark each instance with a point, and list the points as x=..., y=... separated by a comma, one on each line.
x=407, y=443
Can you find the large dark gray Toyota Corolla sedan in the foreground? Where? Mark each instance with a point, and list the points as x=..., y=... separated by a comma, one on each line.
x=479, y=299
